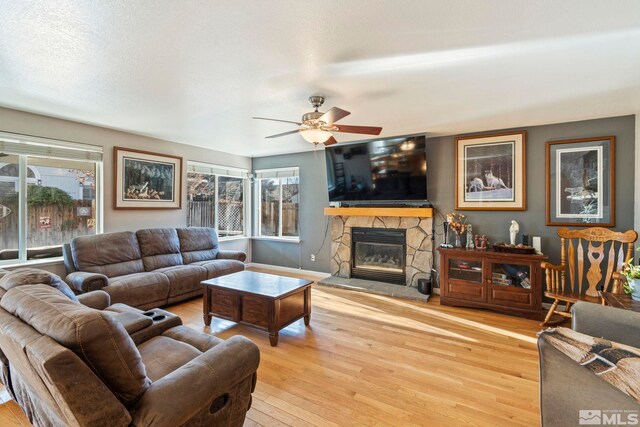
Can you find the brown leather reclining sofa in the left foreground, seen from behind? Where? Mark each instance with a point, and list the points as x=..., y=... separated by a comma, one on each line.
x=72, y=365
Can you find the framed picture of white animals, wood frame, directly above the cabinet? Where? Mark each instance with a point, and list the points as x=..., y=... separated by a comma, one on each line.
x=490, y=172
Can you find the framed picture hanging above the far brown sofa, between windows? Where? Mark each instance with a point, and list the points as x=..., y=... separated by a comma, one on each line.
x=145, y=180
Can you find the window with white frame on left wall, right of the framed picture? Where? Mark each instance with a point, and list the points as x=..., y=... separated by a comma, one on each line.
x=216, y=198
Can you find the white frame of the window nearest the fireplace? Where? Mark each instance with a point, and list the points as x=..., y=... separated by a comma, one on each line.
x=287, y=172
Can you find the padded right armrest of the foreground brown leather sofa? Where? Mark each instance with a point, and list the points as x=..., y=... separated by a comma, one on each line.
x=171, y=400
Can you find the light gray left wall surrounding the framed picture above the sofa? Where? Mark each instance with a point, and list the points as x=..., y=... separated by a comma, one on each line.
x=118, y=220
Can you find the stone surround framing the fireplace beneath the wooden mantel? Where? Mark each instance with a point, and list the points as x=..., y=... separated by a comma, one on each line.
x=419, y=257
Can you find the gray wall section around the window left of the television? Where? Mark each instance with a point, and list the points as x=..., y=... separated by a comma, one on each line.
x=313, y=200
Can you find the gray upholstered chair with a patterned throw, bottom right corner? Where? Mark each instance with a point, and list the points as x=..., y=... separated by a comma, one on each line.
x=566, y=387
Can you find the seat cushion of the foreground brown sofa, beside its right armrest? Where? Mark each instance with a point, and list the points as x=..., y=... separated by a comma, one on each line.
x=154, y=354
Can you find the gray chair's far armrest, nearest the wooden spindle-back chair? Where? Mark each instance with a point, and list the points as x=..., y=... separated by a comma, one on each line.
x=614, y=324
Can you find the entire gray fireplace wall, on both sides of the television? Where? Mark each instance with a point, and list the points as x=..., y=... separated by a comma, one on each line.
x=494, y=224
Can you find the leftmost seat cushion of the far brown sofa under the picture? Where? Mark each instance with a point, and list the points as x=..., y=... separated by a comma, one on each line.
x=139, y=289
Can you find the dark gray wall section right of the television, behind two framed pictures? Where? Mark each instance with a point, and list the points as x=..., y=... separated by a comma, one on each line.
x=495, y=224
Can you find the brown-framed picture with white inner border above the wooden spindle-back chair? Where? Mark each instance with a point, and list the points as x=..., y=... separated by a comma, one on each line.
x=580, y=182
